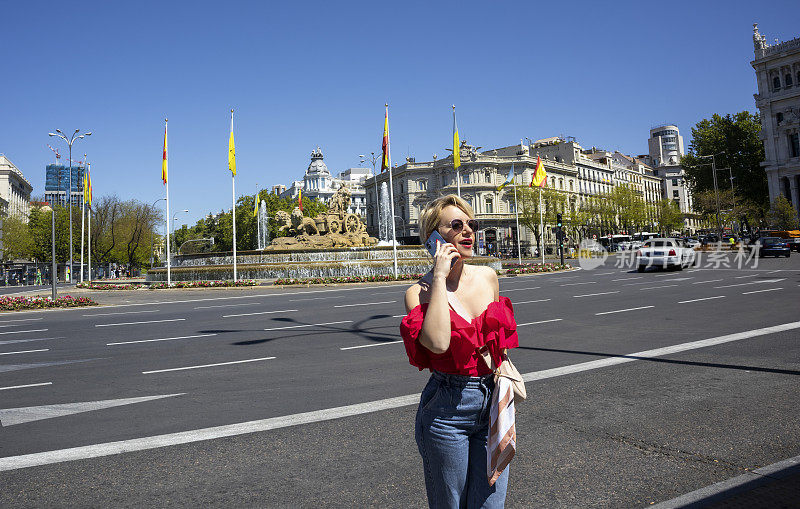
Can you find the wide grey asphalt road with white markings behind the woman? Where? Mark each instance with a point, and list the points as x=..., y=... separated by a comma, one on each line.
x=235, y=397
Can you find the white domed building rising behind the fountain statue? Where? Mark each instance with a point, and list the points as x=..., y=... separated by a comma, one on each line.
x=318, y=183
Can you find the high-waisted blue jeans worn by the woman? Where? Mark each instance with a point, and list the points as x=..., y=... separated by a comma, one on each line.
x=451, y=431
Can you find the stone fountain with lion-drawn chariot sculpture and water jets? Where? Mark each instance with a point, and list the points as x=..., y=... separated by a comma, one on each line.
x=333, y=244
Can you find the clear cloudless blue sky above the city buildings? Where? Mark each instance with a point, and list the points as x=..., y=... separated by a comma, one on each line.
x=304, y=74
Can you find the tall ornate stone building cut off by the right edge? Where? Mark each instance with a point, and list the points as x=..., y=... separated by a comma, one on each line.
x=777, y=68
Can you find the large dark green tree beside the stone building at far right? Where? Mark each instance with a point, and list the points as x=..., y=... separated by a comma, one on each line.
x=736, y=138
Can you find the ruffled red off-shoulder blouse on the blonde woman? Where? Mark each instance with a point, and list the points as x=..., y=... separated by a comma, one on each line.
x=495, y=327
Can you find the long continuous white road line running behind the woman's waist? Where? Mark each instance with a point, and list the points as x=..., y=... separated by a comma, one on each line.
x=241, y=428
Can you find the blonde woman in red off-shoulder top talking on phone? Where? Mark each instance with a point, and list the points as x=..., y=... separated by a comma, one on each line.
x=453, y=414
